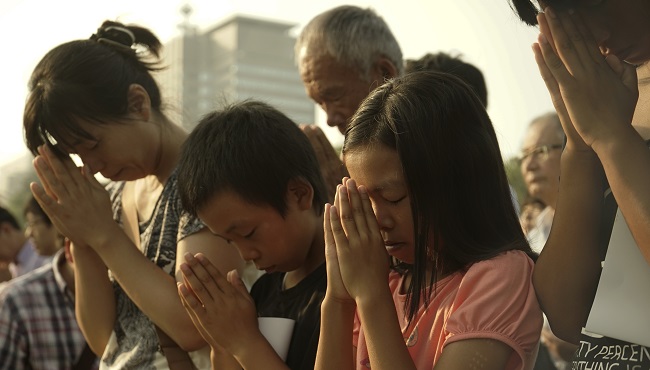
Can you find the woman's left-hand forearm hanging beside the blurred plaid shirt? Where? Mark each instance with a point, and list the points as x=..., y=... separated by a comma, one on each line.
x=94, y=299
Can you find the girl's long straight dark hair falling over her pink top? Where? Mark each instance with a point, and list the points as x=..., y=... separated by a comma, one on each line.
x=461, y=202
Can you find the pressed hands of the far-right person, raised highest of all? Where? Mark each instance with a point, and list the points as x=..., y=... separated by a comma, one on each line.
x=594, y=95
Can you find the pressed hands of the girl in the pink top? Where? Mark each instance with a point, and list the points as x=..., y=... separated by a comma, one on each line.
x=360, y=251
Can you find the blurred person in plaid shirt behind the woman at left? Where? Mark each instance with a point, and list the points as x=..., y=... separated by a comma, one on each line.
x=37, y=309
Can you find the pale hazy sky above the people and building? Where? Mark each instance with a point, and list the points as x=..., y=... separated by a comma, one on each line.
x=485, y=32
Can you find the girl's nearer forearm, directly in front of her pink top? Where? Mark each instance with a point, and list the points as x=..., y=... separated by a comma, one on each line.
x=384, y=339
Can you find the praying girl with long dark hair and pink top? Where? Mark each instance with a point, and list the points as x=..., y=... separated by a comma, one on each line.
x=428, y=189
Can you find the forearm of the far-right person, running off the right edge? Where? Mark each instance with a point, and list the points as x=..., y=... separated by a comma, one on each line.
x=626, y=160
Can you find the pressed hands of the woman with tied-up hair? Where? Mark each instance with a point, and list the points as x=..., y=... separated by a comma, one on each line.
x=74, y=200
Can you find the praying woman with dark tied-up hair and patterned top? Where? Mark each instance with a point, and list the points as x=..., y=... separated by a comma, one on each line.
x=97, y=98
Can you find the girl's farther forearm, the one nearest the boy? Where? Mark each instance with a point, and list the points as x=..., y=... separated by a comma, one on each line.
x=335, y=341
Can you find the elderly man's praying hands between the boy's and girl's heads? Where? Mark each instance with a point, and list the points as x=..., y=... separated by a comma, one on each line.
x=331, y=166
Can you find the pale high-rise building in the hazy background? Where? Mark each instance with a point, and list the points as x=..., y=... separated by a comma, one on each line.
x=239, y=58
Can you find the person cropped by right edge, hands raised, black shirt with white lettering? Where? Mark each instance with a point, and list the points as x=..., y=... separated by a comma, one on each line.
x=593, y=56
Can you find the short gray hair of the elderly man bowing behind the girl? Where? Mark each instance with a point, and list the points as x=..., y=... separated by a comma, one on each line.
x=354, y=36
